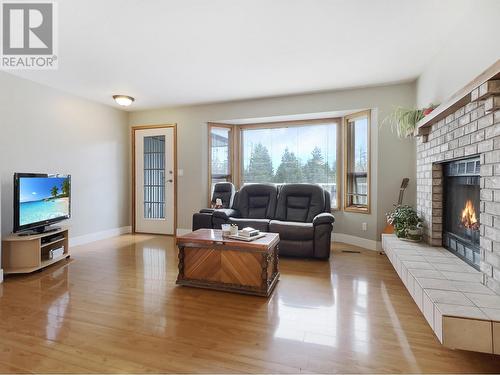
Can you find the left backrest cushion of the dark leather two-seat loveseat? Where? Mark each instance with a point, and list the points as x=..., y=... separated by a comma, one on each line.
x=257, y=201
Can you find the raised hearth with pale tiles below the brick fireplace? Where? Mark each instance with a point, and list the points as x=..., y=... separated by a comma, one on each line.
x=461, y=311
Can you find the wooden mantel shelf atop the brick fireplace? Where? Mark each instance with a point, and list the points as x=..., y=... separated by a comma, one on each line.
x=471, y=92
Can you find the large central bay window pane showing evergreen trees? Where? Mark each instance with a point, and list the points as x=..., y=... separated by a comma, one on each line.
x=295, y=152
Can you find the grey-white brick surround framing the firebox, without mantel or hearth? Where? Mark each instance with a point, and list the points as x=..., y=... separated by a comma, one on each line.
x=469, y=131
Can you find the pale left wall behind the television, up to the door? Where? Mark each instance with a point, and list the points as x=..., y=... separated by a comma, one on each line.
x=45, y=130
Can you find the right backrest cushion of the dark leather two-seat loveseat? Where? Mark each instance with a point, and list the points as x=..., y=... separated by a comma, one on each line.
x=300, y=202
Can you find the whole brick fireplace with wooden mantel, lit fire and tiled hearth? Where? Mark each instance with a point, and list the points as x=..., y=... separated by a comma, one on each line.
x=458, y=197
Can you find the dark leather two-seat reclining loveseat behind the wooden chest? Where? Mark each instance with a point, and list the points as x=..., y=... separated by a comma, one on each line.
x=299, y=213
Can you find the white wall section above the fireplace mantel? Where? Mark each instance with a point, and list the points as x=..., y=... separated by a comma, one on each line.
x=472, y=47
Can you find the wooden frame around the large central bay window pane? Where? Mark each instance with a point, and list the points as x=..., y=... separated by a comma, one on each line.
x=295, y=123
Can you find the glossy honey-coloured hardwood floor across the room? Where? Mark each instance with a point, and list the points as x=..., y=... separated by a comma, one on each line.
x=114, y=307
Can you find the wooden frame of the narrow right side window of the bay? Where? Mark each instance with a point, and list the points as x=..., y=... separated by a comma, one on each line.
x=347, y=149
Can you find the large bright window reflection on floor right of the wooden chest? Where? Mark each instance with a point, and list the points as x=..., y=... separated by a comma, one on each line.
x=322, y=317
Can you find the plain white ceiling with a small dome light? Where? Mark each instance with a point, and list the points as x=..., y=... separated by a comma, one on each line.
x=167, y=53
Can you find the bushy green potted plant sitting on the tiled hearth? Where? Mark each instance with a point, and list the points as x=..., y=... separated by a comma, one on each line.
x=407, y=224
